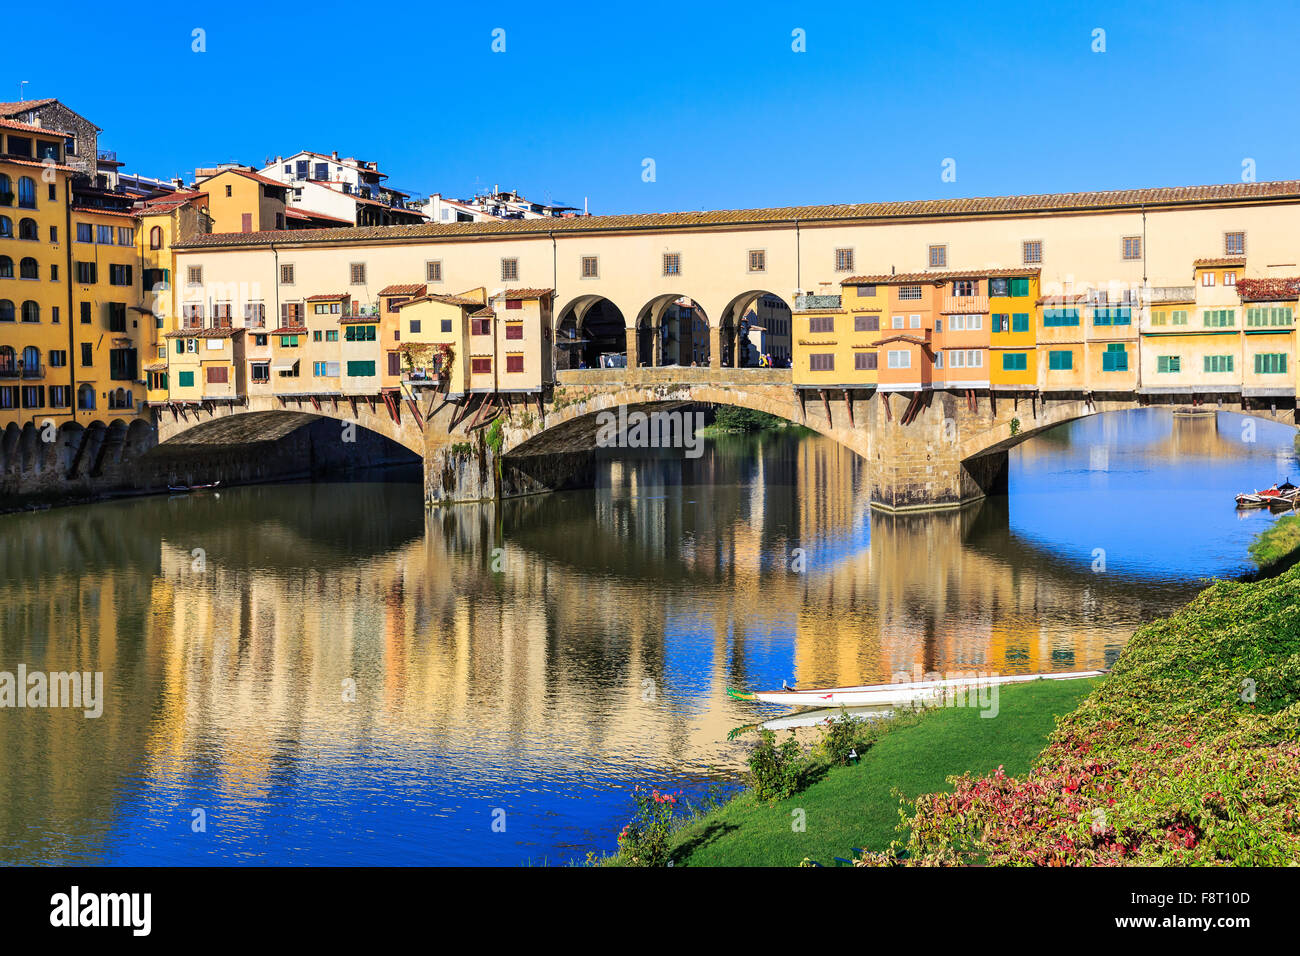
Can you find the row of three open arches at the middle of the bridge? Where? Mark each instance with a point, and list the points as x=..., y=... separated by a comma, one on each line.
x=674, y=330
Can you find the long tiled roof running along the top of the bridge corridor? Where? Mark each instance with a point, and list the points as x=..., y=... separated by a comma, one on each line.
x=1004, y=207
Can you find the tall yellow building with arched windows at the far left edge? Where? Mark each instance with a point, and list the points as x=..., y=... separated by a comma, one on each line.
x=37, y=347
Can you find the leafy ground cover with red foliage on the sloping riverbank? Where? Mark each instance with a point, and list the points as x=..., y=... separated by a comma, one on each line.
x=1189, y=754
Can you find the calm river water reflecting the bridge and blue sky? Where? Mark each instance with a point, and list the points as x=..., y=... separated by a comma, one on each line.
x=543, y=659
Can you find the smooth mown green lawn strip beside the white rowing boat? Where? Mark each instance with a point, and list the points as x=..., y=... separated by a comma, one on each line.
x=855, y=806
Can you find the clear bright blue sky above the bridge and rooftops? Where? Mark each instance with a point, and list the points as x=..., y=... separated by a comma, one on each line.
x=730, y=114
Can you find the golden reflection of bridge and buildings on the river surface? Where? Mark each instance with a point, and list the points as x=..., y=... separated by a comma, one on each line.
x=474, y=664
